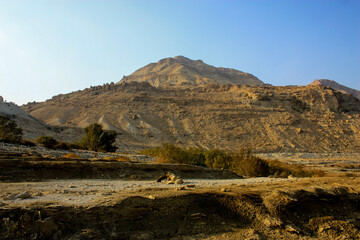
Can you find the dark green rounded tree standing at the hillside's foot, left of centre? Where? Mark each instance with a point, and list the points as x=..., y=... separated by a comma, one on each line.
x=96, y=139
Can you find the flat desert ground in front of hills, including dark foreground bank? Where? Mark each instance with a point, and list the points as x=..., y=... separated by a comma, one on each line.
x=128, y=203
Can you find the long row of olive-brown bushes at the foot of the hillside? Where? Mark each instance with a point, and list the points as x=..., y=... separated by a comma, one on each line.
x=242, y=162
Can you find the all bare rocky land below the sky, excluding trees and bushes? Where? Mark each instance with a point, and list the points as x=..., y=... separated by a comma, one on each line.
x=77, y=194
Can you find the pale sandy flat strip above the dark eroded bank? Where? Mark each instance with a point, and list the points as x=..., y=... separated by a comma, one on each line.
x=90, y=191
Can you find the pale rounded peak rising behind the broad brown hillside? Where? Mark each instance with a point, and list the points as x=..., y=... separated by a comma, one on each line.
x=184, y=71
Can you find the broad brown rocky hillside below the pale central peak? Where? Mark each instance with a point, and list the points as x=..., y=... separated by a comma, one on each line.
x=267, y=118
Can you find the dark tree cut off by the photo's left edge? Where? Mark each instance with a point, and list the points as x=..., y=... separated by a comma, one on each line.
x=9, y=131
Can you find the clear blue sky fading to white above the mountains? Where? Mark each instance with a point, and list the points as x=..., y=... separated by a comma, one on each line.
x=48, y=47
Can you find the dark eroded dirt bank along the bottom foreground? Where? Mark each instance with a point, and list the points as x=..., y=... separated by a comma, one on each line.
x=300, y=214
